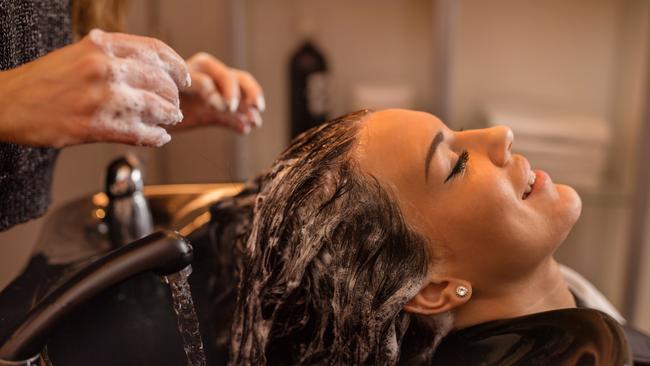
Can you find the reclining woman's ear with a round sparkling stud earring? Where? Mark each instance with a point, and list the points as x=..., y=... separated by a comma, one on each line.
x=439, y=295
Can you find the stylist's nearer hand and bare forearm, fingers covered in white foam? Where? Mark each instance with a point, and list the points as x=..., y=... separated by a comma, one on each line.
x=109, y=87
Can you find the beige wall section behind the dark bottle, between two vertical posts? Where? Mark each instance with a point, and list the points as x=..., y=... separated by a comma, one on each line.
x=365, y=41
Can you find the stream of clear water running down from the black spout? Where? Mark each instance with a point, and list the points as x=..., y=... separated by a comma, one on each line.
x=188, y=323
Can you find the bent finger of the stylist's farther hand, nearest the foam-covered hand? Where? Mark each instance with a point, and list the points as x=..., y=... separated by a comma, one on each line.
x=225, y=78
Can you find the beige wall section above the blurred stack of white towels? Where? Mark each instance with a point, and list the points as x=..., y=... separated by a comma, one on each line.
x=557, y=51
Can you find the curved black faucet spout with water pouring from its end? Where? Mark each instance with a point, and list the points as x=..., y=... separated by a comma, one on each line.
x=163, y=252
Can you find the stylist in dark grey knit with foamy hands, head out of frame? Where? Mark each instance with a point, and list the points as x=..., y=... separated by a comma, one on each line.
x=63, y=84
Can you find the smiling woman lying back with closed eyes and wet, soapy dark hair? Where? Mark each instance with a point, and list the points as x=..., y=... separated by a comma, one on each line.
x=374, y=236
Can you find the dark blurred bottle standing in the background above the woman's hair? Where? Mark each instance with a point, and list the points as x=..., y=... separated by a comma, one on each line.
x=308, y=81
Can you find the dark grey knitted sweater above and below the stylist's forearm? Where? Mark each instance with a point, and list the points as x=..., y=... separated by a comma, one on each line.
x=28, y=29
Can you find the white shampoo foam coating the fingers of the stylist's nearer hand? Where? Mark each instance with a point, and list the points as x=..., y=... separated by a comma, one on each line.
x=143, y=88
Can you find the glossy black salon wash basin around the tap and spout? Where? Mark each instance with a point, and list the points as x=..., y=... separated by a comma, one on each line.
x=132, y=323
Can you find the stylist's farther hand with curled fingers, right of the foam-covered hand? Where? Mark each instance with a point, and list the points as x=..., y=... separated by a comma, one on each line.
x=221, y=95
